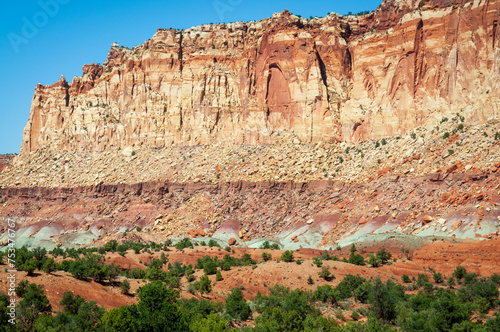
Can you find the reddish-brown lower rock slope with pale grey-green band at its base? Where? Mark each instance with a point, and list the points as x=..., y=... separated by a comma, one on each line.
x=318, y=213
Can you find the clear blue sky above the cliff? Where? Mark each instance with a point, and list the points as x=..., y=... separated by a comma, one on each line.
x=40, y=40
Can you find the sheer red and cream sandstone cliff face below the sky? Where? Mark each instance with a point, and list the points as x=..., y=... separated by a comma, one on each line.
x=335, y=78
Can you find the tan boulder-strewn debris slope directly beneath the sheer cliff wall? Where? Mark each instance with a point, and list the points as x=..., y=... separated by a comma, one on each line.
x=451, y=146
